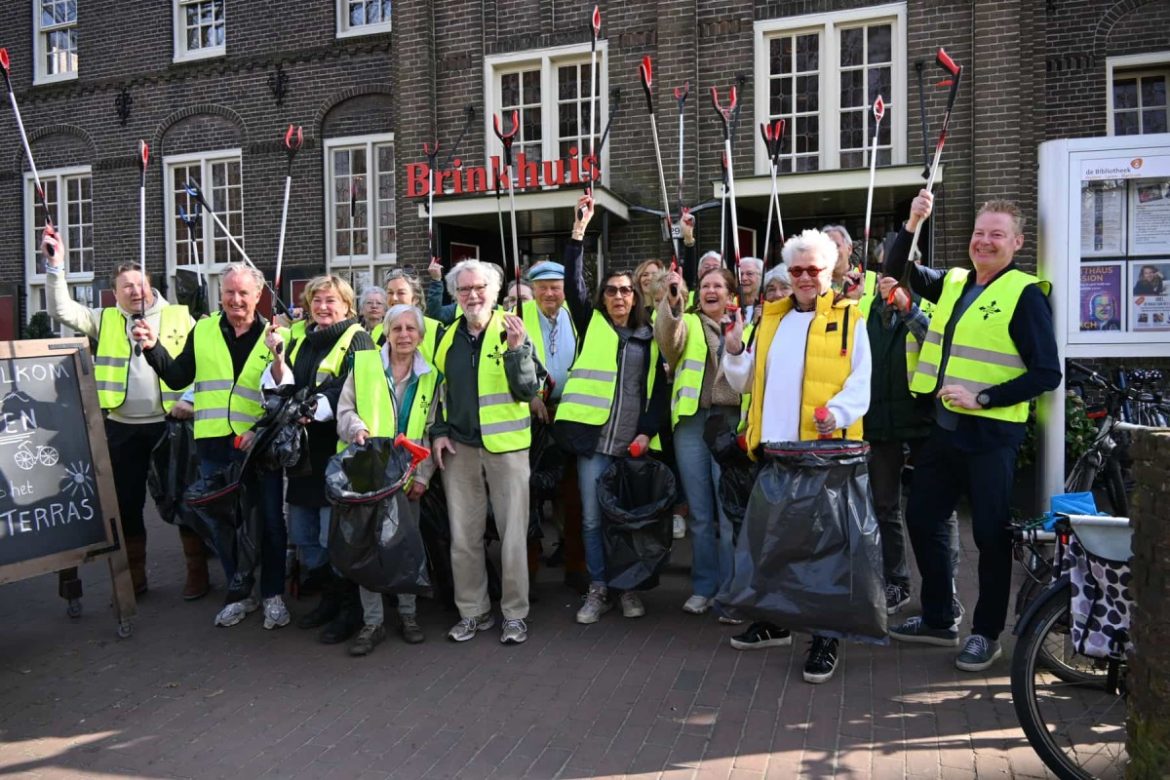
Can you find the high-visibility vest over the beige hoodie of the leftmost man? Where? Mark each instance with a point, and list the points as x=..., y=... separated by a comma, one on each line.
x=112, y=362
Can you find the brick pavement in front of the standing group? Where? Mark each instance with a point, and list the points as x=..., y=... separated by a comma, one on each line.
x=659, y=698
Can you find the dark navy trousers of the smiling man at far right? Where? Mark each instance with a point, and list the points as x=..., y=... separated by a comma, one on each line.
x=942, y=474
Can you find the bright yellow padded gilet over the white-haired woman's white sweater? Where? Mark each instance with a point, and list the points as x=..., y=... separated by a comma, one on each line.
x=829, y=362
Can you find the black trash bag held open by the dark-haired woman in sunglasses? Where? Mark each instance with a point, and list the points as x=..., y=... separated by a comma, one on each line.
x=637, y=496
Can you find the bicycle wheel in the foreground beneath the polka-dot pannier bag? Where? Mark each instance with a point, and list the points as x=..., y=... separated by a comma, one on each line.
x=1078, y=729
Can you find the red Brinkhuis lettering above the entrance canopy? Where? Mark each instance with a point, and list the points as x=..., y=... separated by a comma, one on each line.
x=479, y=180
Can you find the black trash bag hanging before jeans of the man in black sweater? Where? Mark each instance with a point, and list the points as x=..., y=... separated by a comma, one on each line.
x=228, y=506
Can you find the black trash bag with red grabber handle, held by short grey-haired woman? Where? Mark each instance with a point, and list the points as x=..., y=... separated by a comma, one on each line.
x=374, y=534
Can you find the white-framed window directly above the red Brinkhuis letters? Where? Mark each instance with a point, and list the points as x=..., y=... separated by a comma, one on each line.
x=550, y=89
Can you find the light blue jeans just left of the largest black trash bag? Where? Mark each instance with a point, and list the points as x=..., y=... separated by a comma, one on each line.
x=712, y=549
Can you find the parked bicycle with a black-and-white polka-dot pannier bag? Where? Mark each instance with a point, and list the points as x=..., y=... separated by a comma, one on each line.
x=1069, y=684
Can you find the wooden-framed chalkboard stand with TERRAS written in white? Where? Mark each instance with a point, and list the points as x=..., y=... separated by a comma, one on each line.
x=74, y=365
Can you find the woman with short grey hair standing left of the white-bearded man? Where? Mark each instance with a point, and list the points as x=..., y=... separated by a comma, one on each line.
x=391, y=391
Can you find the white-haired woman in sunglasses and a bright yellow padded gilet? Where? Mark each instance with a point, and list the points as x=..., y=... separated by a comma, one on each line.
x=815, y=354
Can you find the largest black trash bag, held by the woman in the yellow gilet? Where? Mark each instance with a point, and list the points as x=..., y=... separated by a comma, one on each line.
x=809, y=557
